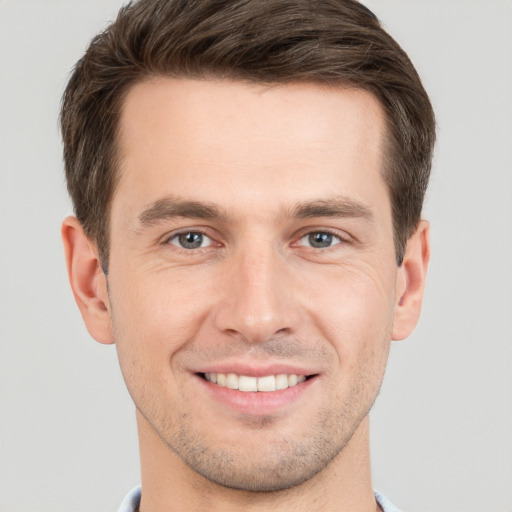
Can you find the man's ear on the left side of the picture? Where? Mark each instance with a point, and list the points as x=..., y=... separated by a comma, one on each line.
x=87, y=280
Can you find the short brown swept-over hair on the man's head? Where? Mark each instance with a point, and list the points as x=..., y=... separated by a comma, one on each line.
x=335, y=42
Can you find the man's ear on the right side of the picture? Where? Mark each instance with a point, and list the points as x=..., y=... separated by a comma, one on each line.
x=410, y=283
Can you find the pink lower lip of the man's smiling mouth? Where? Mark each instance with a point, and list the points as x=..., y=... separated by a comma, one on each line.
x=257, y=403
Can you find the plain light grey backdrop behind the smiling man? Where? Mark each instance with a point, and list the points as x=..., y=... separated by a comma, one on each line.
x=442, y=425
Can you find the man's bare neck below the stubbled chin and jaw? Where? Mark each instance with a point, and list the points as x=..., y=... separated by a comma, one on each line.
x=169, y=484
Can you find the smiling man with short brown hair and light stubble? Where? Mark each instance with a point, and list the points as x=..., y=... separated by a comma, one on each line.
x=248, y=179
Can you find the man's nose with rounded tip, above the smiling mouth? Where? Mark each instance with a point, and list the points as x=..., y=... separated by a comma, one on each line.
x=259, y=300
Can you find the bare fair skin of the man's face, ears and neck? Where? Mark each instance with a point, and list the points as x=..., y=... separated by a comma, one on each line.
x=253, y=171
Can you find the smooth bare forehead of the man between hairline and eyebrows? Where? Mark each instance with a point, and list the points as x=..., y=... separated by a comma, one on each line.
x=222, y=140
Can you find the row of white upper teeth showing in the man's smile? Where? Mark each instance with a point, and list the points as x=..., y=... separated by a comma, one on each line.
x=247, y=383
